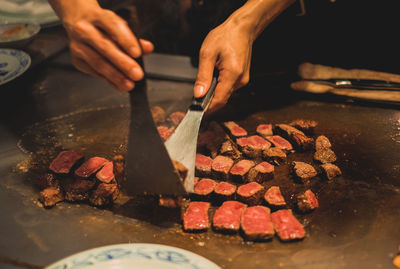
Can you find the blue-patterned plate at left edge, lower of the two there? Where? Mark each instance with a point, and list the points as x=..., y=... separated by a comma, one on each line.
x=13, y=63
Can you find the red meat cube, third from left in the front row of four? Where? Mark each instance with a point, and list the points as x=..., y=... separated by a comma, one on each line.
x=256, y=223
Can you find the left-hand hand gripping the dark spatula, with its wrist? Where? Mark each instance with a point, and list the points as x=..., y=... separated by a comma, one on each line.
x=101, y=42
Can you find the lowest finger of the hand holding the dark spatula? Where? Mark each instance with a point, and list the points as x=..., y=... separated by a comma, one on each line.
x=95, y=64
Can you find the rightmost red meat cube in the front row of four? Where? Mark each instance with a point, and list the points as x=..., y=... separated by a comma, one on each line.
x=287, y=226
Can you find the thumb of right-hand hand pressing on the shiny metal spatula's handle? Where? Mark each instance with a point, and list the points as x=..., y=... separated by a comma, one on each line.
x=204, y=75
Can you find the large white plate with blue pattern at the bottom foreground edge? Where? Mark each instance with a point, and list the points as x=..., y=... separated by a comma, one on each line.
x=134, y=256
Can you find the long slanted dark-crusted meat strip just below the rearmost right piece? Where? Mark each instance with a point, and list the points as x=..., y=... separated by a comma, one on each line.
x=296, y=137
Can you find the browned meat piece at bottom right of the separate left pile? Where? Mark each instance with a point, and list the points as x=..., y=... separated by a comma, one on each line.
x=104, y=195
